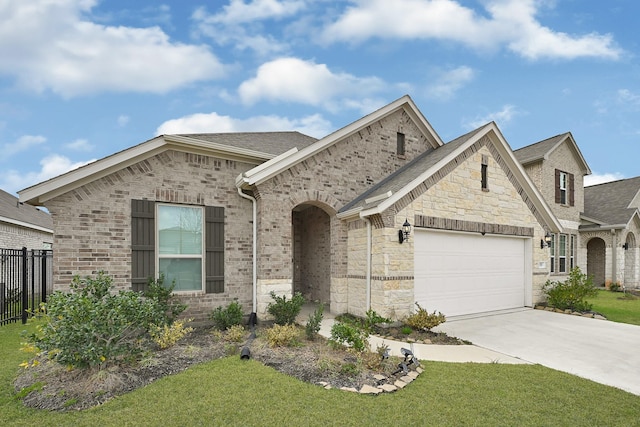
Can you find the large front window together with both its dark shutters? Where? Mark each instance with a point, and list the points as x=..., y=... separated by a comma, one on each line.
x=184, y=242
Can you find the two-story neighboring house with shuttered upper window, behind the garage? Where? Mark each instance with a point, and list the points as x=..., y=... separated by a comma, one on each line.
x=557, y=168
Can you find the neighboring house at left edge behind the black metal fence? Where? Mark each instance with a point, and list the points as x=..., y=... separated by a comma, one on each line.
x=23, y=225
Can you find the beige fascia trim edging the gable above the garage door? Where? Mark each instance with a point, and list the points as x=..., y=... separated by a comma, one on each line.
x=505, y=151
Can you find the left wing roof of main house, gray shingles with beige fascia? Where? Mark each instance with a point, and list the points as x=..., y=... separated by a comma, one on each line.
x=252, y=147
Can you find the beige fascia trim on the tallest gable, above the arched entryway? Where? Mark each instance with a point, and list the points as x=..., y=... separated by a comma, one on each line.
x=278, y=166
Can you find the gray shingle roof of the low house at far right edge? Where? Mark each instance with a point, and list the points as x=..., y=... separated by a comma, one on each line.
x=609, y=202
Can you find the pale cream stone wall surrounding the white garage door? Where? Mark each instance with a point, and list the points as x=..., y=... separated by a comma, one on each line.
x=457, y=195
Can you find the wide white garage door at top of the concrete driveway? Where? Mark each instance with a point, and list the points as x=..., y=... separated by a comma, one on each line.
x=466, y=273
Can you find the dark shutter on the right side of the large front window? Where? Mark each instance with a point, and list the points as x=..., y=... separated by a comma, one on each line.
x=214, y=246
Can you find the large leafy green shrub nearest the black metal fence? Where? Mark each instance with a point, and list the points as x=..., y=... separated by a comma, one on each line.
x=91, y=326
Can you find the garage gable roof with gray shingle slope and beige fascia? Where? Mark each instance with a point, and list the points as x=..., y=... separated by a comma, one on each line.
x=392, y=190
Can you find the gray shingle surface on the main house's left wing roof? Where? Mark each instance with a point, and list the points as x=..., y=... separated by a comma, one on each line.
x=265, y=142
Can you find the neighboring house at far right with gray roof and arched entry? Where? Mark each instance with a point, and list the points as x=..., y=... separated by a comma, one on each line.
x=610, y=226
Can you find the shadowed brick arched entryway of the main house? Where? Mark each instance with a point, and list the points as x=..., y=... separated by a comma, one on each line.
x=312, y=252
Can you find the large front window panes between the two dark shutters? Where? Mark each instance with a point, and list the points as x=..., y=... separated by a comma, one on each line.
x=180, y=246
